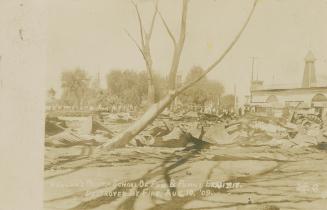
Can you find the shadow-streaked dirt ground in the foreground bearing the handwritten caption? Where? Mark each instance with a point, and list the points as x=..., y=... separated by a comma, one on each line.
x=226, y=177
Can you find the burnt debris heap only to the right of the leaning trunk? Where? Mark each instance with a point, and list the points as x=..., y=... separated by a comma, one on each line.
x=300, y=131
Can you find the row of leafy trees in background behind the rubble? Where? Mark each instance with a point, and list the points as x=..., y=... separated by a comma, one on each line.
x=130, y=87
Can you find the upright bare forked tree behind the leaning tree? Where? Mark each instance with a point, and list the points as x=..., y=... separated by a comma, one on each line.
x=144, y=49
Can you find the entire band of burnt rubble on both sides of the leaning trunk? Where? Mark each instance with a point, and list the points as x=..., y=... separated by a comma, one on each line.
x=190, y=128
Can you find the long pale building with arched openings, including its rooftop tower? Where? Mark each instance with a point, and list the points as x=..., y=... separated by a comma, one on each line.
x=310, y=95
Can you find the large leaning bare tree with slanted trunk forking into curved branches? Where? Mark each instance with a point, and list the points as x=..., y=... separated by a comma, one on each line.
x=153, y=111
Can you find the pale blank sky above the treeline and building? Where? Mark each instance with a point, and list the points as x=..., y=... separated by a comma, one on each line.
x=90, y=34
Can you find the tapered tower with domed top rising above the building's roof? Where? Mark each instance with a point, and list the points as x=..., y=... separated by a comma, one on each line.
x=309, y=75
